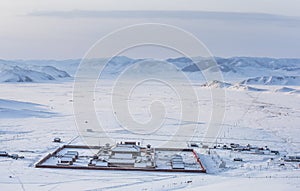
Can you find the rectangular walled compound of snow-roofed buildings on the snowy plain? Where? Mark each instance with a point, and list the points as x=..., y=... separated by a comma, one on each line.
x=128, y=155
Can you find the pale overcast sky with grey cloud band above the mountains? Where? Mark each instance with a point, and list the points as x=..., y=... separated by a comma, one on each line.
x=56, y=29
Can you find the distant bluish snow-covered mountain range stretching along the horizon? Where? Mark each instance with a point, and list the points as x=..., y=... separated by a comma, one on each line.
x=244, y=70
